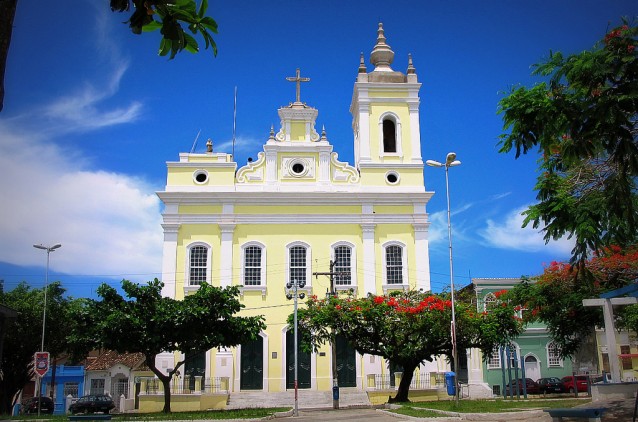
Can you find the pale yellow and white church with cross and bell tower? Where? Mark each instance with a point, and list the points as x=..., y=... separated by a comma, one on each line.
x=297, y=211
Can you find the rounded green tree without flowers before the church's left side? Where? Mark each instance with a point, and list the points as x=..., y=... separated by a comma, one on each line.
x=147, y=322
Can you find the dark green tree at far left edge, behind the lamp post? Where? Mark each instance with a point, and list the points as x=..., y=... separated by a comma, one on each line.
x=24, y=334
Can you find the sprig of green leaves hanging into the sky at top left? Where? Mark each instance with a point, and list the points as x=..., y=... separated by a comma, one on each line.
x=168, y=17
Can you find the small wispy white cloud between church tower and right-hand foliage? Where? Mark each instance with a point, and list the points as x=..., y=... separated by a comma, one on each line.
x=509, y=234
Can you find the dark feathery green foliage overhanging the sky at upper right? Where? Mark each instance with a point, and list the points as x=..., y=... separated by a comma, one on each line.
x=582, y=120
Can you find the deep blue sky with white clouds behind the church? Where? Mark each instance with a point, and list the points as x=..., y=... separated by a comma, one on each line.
x=92, y=114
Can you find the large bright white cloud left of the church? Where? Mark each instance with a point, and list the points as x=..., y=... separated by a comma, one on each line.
x=108, y=224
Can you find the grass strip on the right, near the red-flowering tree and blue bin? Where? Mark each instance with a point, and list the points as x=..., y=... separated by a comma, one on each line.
x=494, y=406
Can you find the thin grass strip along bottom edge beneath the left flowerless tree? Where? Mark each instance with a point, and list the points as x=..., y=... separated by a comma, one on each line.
x=206, y=415
